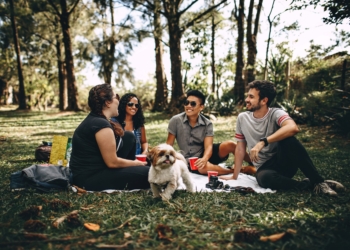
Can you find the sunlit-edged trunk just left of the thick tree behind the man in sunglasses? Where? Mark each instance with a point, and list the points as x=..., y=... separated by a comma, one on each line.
x=161, y=95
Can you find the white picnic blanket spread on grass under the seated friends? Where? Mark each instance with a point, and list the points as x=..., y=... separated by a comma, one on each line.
x=200, y=181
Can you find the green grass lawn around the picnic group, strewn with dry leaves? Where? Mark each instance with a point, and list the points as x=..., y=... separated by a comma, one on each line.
x=196, y=221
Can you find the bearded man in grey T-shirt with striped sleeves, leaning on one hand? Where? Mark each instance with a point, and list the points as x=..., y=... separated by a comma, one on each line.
x=275, y=152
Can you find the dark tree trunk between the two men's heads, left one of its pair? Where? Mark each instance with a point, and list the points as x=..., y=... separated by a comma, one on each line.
x=239, y=88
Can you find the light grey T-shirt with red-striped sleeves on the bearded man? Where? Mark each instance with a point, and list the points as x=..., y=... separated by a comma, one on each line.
x=251, y=130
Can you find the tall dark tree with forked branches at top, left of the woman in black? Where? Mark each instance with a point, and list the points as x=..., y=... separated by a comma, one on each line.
x=64, y=16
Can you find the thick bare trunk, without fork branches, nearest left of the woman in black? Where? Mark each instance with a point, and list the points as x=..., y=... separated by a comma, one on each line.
x=73, y=103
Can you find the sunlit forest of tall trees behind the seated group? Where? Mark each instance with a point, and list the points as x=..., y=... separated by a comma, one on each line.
x=44, y=44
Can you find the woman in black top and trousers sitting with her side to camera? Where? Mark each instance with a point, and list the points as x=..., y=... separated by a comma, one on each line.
x=94, y=162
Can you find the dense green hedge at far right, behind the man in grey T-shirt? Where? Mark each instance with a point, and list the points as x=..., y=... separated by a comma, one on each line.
x=314, y=98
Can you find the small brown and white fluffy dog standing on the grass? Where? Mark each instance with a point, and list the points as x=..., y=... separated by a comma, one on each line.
x=167, y=168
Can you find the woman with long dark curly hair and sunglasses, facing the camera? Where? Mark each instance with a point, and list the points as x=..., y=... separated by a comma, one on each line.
x=132, y=119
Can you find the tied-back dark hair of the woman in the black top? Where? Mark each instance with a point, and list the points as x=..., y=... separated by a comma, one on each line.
x=98, y=96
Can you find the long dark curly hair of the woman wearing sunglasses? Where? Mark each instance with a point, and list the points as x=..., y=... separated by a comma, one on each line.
x=138, y=119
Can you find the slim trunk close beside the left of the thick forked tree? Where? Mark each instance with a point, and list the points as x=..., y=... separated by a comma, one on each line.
x=62, y=81
